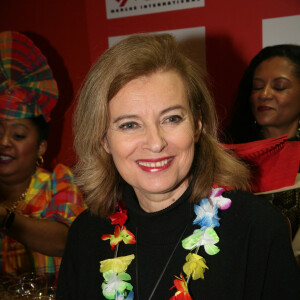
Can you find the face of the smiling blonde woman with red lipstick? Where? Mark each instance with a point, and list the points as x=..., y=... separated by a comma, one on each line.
x=151, y=137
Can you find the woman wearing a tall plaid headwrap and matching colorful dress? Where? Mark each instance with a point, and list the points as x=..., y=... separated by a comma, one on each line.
x=36, y=206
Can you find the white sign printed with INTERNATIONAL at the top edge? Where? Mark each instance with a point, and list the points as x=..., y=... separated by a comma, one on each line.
x=127, y=8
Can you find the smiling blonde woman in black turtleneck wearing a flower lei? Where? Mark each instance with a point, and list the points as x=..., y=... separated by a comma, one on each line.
x=167, y=218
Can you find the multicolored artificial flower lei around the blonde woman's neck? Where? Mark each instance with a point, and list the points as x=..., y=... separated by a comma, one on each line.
x=116, y=285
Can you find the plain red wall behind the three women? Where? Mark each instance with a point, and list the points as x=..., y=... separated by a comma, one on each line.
x=73, y=34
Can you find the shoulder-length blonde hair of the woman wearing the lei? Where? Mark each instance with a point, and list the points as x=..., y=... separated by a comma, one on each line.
x=135, y=56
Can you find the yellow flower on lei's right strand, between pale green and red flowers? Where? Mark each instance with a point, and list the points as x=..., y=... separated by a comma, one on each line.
x=194, y=266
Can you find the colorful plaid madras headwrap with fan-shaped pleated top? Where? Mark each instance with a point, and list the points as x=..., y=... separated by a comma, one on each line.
x=27, y=86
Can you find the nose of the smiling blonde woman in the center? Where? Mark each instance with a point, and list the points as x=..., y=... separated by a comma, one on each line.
x=154, y=139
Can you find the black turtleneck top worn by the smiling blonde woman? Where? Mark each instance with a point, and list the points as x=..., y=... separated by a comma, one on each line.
x=255, y=259
